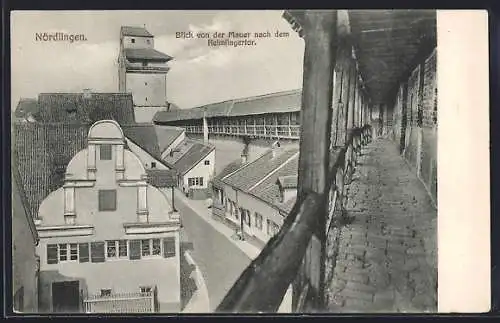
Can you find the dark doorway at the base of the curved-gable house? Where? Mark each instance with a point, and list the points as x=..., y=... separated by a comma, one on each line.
x=66, y=296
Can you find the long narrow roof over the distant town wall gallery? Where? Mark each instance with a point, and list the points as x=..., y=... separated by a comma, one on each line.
x=281, y=102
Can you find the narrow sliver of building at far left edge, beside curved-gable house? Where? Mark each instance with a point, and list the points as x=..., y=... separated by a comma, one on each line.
x=25, y=262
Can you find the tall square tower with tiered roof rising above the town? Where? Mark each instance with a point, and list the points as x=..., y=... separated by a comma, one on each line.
x=142, y=71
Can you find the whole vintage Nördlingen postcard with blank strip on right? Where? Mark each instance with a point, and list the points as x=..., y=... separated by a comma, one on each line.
x=282, y=161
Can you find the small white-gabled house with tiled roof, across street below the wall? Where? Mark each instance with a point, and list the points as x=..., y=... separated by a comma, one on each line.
x=194, y=162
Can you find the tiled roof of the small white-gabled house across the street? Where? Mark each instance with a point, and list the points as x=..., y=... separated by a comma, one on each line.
x=190, y=154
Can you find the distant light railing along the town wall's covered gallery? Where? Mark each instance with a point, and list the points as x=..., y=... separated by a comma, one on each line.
x=272, y=131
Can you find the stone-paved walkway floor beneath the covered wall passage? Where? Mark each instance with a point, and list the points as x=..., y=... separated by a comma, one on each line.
x=387, y=257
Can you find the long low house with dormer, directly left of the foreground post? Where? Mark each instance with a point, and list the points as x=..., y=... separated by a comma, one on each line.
x=255, y=197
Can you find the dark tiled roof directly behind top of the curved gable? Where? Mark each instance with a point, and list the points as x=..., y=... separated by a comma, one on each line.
x=80, y=108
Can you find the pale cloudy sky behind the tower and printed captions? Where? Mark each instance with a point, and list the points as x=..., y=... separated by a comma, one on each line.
x=199, y=74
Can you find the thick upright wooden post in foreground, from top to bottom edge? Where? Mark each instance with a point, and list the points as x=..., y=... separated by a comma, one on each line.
x=320, y=29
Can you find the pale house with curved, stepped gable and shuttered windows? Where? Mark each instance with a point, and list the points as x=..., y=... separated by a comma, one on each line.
x=109, y=241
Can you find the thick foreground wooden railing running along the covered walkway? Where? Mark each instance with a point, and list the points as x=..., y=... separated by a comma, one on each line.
x=263, y=284
